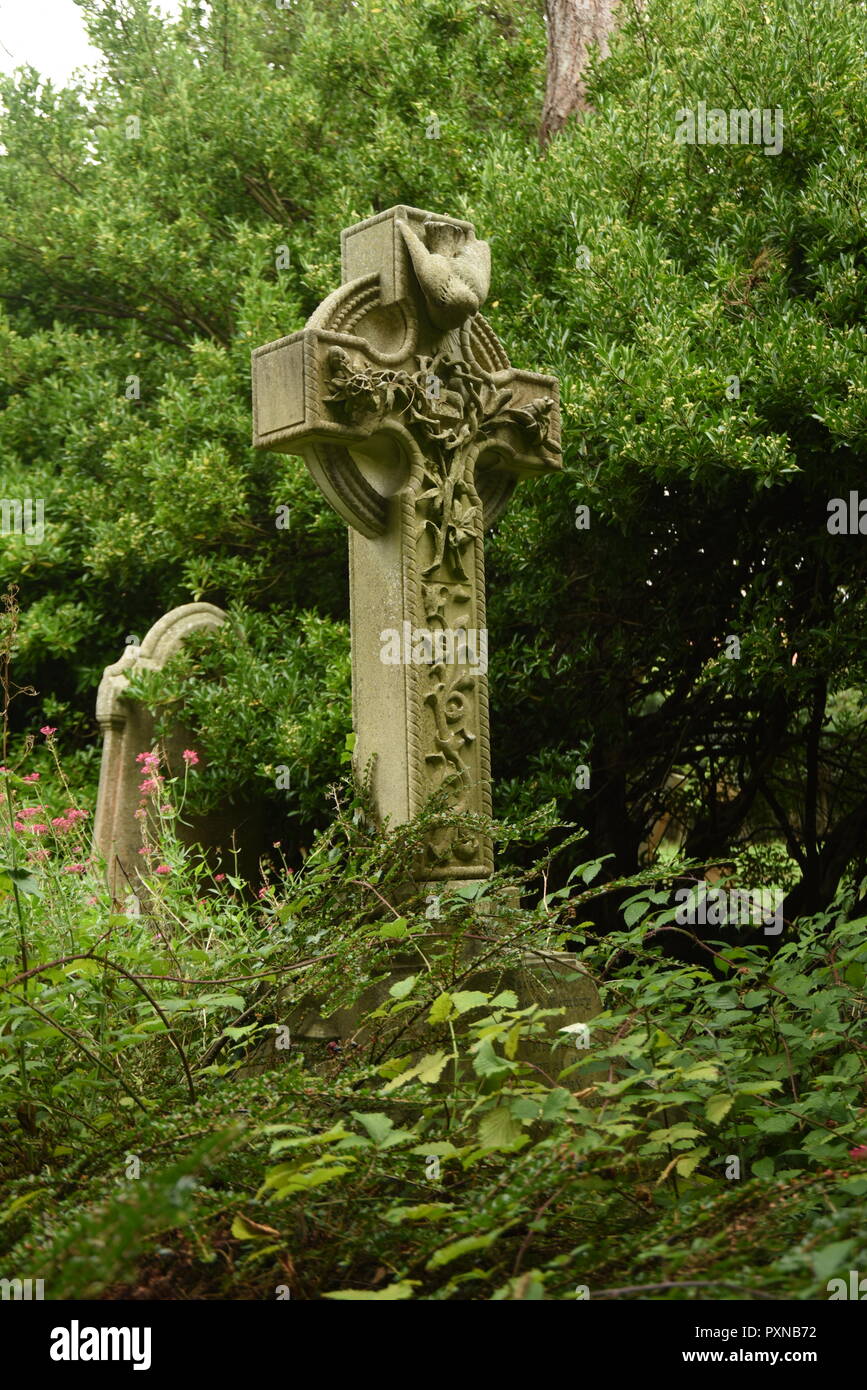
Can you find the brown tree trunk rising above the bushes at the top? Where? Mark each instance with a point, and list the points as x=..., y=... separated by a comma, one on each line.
x=575, y=27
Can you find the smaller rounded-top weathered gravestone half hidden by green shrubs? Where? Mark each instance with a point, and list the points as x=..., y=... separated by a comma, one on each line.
x=129, y=730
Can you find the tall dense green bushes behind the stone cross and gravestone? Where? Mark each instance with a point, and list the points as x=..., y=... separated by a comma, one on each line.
x=162, y=220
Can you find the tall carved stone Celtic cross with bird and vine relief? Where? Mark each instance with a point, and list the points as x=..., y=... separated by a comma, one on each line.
x=404, y=405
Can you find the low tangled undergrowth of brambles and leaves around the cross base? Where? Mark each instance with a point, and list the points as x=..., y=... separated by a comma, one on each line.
x=166, y=1135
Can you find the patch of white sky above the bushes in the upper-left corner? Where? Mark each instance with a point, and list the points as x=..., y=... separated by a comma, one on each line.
x=49, y=35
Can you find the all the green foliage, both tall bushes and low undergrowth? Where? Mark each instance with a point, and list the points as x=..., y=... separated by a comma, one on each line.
x=163, y=1129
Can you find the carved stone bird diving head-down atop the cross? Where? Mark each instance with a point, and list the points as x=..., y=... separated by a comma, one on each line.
x=454, y=272
